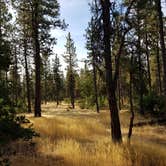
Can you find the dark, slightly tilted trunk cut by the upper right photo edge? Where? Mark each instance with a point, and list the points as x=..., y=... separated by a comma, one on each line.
x=162, y=42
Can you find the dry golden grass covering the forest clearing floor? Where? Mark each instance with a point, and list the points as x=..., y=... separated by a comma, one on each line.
x=82, y=138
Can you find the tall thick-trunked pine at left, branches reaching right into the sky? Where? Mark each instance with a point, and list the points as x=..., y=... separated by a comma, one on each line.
x=44, y=15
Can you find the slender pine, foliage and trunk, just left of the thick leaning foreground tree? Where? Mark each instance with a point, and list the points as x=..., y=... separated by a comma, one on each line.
x=94, y=45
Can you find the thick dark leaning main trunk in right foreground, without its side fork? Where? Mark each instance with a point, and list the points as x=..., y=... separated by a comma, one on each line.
x=110, y=84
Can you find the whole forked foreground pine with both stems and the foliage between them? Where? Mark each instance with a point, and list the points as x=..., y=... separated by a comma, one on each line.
x=114, y=30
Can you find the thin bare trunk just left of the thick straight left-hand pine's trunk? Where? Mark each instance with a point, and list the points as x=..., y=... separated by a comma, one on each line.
x=27, y=77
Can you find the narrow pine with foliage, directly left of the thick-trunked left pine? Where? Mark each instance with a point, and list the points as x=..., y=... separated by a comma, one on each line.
x=25, y=38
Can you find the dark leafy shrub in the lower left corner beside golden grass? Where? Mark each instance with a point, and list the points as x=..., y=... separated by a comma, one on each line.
x=11, y=125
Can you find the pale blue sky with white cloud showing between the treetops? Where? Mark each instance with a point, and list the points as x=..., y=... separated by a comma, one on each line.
x=77, y=14
